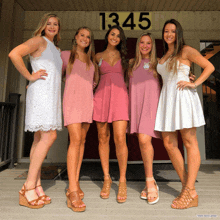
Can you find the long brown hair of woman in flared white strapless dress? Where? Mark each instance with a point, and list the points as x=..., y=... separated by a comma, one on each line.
x=178, y=45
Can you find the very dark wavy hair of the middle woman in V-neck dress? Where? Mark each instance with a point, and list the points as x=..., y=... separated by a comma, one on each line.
x=121, y=47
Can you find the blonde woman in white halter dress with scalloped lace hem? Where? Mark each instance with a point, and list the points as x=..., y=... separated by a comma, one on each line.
x=43, y=101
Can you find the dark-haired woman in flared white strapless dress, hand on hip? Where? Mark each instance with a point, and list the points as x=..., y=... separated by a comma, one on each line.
x=179, y=108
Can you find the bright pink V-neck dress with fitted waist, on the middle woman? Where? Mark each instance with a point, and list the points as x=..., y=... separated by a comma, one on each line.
x=111, y=96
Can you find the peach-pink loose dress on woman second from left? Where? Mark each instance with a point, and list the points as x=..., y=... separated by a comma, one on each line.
x=78, y=92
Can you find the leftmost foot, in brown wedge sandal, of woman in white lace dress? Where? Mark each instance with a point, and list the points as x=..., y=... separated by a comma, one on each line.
x=29, y=198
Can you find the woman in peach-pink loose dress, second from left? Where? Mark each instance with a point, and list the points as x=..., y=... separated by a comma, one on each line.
x=79, y=68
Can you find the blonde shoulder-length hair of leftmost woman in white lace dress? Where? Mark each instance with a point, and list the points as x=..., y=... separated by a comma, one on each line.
x=42, y=25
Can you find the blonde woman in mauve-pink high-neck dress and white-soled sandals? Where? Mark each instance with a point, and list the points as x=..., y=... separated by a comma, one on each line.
x=144, y=92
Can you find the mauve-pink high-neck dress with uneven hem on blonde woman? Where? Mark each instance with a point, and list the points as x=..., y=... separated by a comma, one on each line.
x=144, y=92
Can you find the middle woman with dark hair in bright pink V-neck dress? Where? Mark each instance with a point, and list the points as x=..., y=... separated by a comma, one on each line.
x=111, y=106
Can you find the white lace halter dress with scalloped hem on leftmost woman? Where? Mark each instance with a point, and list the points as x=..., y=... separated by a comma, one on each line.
x=43, y=99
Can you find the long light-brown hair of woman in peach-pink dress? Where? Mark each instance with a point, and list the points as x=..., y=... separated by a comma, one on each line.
x=90, y=52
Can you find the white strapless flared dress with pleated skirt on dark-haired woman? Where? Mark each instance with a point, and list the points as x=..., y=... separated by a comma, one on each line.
x=177, y=109
